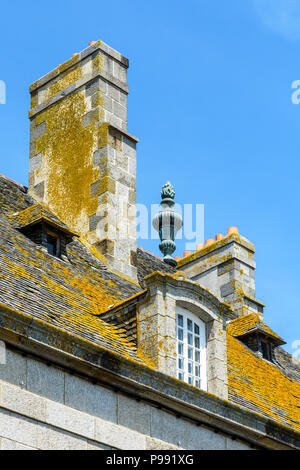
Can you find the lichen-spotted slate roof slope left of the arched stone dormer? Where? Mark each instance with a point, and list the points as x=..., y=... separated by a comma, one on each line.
x=67, y=294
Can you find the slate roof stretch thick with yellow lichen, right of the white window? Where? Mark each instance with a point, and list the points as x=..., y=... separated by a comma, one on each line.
x=261, y=385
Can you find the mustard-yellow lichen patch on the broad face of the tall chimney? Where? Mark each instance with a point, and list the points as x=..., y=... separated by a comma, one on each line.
x=67, y=150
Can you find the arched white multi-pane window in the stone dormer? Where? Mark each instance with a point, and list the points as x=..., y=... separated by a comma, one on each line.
x=184, y=348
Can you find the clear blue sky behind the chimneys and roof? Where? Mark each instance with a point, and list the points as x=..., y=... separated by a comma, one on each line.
x=210, y=102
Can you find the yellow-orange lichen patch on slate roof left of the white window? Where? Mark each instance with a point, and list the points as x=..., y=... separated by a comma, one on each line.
x=75, y=297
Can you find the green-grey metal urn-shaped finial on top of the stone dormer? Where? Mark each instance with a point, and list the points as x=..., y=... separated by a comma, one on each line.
x=167, y=222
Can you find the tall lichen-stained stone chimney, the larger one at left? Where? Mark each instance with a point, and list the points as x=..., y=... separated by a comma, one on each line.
x=82, y=159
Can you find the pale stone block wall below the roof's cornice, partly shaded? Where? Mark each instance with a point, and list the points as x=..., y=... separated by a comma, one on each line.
x=44, y=407
